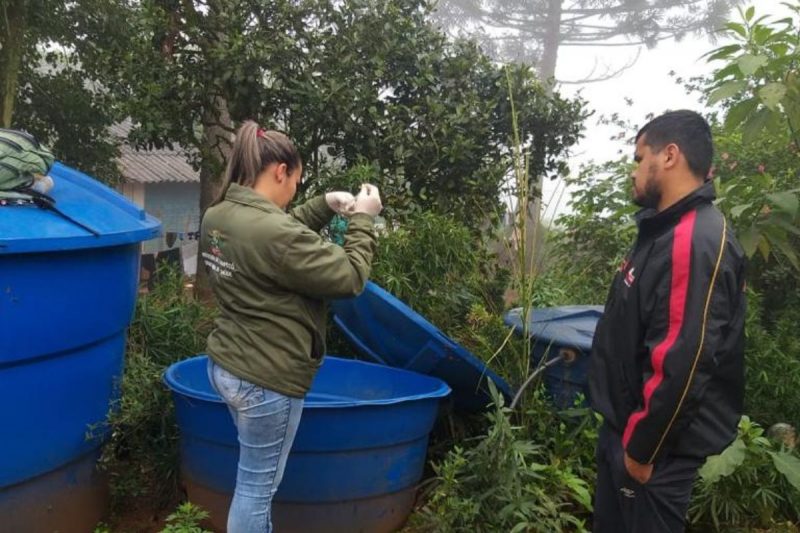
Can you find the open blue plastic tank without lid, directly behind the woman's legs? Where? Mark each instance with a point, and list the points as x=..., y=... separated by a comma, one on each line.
x=355, y=463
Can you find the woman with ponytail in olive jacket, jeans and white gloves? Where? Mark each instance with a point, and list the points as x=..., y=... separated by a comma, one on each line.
x=271, y=273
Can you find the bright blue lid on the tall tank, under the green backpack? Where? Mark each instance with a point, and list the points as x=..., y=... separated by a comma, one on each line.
x=89, y=203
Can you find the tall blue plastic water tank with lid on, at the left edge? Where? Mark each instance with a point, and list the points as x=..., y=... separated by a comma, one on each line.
x=66, y=298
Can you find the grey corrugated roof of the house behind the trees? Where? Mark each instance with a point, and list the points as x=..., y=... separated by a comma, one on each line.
x=160, y=165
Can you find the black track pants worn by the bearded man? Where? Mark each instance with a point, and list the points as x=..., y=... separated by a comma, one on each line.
x=623, y=504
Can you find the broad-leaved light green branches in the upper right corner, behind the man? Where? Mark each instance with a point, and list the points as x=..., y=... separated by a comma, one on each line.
x=760, y=89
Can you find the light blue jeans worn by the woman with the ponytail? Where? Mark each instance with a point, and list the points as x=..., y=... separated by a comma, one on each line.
x=267, y=424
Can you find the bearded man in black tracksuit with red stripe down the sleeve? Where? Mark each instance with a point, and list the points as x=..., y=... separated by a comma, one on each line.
x=667, y=364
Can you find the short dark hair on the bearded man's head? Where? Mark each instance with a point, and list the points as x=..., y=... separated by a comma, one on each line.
x=689, y=131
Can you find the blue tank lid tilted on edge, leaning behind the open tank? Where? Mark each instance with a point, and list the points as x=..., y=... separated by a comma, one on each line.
x=389, y=332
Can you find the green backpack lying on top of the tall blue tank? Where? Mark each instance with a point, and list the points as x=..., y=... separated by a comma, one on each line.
x=21, y=158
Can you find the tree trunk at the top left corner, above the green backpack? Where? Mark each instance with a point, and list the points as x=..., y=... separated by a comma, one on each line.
x=12, y=40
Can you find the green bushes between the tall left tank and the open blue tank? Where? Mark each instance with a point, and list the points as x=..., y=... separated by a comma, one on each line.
x=141, y=455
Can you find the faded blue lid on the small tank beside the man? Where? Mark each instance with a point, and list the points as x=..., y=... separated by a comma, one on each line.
x=569, y=326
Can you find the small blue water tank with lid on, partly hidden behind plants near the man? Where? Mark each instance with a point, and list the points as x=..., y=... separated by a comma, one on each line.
x=554, y=330
